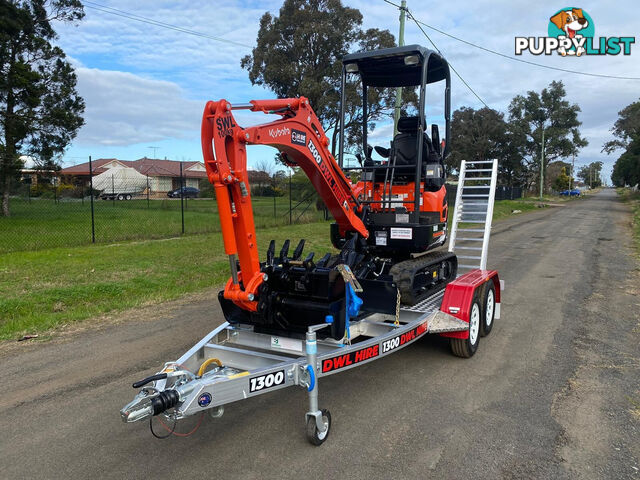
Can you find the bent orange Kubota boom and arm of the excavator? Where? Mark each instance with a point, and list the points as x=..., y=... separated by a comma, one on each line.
x=302, y=142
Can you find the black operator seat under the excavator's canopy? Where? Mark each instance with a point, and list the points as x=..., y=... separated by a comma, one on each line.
x=406, y=155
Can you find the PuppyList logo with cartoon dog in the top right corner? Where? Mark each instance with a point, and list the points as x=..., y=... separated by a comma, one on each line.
x=571, y=32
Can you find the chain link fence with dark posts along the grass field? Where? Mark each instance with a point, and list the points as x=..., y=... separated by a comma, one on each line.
x=118, y=205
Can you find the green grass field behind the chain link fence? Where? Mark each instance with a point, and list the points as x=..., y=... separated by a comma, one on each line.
x=43, y=223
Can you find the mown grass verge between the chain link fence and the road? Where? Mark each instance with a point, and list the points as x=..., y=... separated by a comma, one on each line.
x=40, y=290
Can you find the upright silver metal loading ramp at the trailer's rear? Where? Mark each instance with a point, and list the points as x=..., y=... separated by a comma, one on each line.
x=472, y=214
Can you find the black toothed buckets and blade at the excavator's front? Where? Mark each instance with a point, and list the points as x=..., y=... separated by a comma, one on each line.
x=298, y=293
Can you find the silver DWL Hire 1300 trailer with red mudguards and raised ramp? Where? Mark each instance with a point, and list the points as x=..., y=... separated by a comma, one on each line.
x=234, y=362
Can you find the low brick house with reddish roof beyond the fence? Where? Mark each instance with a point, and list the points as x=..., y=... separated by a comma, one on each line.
x=163, y=175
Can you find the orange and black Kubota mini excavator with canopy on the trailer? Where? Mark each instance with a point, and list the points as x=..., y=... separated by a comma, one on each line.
x=388, y=223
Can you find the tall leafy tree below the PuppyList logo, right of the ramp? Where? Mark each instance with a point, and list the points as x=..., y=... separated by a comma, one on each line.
x=550, y=112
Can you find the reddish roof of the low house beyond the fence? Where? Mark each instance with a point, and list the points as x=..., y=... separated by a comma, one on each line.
x=147, y=166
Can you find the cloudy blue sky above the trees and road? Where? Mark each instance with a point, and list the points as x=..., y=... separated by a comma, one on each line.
x=146, y=86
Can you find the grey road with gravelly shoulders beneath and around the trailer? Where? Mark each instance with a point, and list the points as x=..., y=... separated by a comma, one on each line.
x=553, y=392
